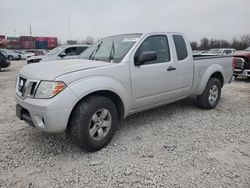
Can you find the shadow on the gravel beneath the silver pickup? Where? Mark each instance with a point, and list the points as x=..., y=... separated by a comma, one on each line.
x=61, y=145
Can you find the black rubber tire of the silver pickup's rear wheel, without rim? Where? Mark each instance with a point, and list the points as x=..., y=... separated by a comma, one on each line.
x=204, y=99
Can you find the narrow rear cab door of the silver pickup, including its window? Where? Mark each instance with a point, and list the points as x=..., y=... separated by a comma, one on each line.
x=184, y=66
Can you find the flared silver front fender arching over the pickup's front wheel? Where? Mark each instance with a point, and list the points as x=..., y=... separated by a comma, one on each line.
x=89, y=85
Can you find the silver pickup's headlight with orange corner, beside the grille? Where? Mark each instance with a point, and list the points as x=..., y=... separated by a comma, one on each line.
x=48, y=89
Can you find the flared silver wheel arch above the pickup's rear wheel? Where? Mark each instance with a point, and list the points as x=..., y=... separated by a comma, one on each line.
x=208, y=73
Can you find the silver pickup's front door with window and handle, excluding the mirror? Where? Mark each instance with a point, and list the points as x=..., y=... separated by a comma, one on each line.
x=153, y=82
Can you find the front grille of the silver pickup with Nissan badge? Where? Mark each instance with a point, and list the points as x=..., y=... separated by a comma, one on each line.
x=25, y=87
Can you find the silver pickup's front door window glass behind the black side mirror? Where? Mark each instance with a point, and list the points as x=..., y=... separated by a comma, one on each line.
x=158, y=44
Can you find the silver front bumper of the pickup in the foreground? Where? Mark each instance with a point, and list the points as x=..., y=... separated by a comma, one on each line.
x=49, y=115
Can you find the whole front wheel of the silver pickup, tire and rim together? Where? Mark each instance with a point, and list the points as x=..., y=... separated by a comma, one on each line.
x=93, y=123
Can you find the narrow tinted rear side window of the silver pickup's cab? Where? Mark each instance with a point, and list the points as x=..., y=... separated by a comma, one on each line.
x=180, y=46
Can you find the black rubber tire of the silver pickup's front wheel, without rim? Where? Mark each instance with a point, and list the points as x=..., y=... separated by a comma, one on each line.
x=82, y=117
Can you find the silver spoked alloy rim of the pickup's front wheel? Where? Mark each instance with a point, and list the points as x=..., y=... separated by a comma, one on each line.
x=100, y=124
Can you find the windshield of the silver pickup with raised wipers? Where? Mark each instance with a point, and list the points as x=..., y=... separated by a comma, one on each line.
x=111, y=49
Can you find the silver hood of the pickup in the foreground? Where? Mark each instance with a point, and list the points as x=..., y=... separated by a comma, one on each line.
x=51, y=70
